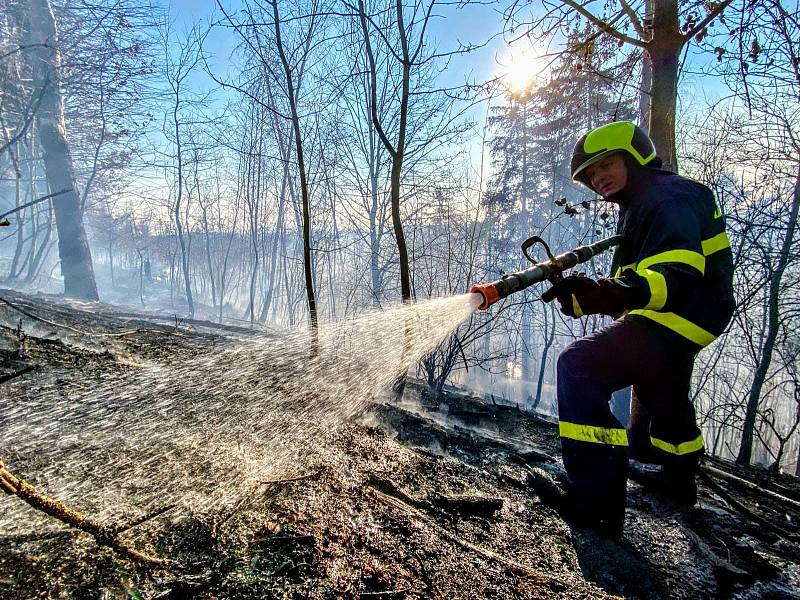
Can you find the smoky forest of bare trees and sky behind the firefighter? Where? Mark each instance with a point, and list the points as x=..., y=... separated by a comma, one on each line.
x=269, y=166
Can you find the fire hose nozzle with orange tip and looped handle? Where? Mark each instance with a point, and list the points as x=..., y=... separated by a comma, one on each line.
x=551, y=269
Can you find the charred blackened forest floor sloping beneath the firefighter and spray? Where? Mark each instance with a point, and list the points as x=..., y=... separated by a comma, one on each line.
x=421, y=499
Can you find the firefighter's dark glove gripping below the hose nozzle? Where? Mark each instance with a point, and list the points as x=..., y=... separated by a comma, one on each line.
x=579, y=295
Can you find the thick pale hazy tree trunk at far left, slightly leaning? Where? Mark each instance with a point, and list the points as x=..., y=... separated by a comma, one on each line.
x=73, y=247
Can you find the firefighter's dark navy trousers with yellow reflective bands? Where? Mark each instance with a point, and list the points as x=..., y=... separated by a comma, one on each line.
x=658, y=364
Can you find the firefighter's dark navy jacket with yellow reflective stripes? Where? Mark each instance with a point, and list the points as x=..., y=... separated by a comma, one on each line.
x=676, y=265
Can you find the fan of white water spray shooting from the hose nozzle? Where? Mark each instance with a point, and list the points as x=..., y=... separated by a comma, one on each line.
x=199, y=432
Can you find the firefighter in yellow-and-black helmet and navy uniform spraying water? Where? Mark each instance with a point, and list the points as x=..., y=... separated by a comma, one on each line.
x=671, y=294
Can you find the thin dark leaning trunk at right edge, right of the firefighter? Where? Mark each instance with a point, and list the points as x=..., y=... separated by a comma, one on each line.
x=773, y=328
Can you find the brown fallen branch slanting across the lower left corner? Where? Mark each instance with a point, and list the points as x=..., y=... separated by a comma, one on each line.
x=103, y=534
